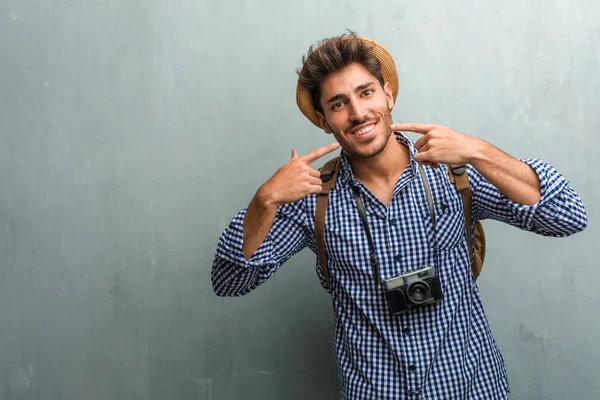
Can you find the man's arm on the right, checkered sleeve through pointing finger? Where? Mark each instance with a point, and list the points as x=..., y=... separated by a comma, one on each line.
x=529, y=194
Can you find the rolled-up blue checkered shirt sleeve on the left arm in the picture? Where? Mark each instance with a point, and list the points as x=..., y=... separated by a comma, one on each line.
x=233, y=275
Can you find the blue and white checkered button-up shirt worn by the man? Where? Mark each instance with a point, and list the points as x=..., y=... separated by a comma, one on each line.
x=440, y=351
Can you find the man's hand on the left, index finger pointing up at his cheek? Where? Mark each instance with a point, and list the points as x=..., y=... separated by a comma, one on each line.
x=296, y=179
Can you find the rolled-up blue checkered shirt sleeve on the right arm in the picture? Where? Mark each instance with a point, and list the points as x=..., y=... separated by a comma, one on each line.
x=559, y=212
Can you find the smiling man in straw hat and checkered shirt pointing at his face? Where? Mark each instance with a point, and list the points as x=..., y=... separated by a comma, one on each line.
x=443, y=350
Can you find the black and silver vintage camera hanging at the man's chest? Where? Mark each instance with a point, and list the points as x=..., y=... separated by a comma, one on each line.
x=414, y=289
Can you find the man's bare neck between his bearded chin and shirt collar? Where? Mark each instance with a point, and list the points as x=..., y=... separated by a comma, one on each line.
x=387, y=166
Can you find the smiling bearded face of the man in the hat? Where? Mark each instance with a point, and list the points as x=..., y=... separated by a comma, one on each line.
x=357, y=110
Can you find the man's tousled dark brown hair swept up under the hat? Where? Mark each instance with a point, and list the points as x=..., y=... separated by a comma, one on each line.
x=331, y=55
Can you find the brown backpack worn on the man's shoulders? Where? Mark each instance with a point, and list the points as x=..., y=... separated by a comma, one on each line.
x=458, y=178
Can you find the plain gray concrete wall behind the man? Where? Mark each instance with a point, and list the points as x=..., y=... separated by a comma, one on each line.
x=131, y=132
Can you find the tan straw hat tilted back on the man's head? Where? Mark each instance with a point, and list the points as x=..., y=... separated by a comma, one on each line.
x=388, y=71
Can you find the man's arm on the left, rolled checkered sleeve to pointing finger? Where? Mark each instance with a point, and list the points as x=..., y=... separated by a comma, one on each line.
x=270, y=231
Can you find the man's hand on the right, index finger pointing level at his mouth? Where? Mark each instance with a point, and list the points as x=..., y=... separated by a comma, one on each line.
x=441, y=145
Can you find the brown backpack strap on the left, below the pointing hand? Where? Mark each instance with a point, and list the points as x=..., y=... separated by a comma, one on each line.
x=329, y=174
